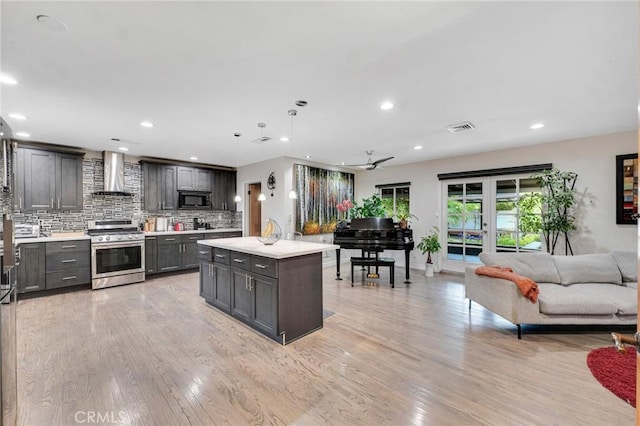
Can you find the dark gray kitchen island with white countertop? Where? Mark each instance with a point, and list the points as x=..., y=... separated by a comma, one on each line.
x=275, y=289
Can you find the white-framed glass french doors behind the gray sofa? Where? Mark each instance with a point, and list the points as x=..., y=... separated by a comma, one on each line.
x=496, y=214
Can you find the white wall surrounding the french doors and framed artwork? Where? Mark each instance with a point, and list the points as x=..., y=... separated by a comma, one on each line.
x=592, y=158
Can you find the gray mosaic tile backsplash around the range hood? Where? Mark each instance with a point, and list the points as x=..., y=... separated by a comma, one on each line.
x=101, y=207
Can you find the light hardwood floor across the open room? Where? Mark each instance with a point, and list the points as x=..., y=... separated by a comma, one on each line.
x=155, y=354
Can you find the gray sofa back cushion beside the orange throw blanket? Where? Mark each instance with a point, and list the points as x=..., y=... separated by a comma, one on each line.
x=537, y=266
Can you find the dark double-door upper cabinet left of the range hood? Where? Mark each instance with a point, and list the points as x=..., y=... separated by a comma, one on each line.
x=48, y=180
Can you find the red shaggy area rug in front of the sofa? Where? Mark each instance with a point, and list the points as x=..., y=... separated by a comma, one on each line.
x=615, y=371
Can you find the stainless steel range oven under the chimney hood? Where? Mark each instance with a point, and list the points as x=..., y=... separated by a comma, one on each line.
x=117, y=253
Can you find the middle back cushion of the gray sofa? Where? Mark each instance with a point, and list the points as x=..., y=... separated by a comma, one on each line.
x=588, y=268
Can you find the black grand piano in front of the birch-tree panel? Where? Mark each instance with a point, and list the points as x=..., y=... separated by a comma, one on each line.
x=373, y=234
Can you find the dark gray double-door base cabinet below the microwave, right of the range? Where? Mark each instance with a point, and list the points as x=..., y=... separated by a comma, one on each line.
x=177, y=252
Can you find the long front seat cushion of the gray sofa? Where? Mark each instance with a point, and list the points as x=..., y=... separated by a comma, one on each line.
x=587, y=299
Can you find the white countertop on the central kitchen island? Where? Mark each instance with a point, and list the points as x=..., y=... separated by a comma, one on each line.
x=280, y=250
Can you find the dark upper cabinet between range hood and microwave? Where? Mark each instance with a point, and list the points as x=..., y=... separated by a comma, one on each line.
x=160, y=189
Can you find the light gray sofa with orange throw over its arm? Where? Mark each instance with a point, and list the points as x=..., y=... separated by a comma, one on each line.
x=585, y=289
